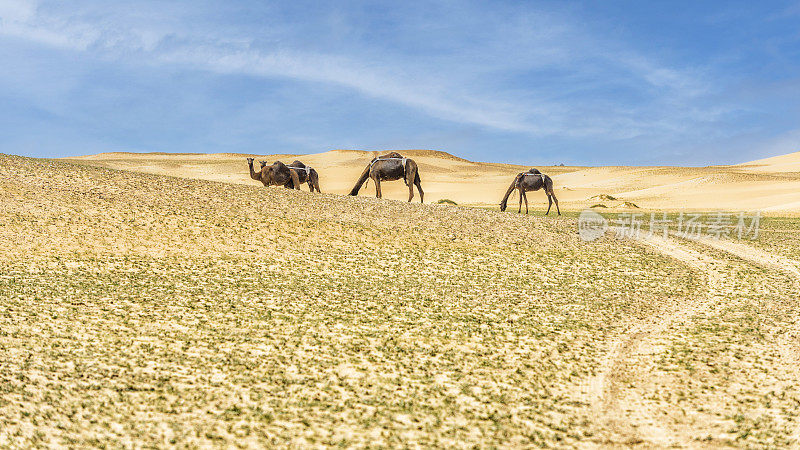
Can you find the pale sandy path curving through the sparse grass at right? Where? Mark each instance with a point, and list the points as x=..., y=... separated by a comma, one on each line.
x=627, y=419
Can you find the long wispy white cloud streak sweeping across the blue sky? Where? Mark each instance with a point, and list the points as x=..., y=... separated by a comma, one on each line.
x=427, y=84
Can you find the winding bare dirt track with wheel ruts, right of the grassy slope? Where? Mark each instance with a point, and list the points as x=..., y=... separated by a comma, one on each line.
x=620, y=390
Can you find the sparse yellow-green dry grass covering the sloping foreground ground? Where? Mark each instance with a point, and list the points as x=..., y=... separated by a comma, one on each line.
x=145, y=310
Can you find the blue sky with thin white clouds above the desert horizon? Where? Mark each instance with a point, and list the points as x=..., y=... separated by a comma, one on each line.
x=631, y=82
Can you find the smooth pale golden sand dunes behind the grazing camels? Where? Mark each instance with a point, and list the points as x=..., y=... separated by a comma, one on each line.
x=771, y=184
